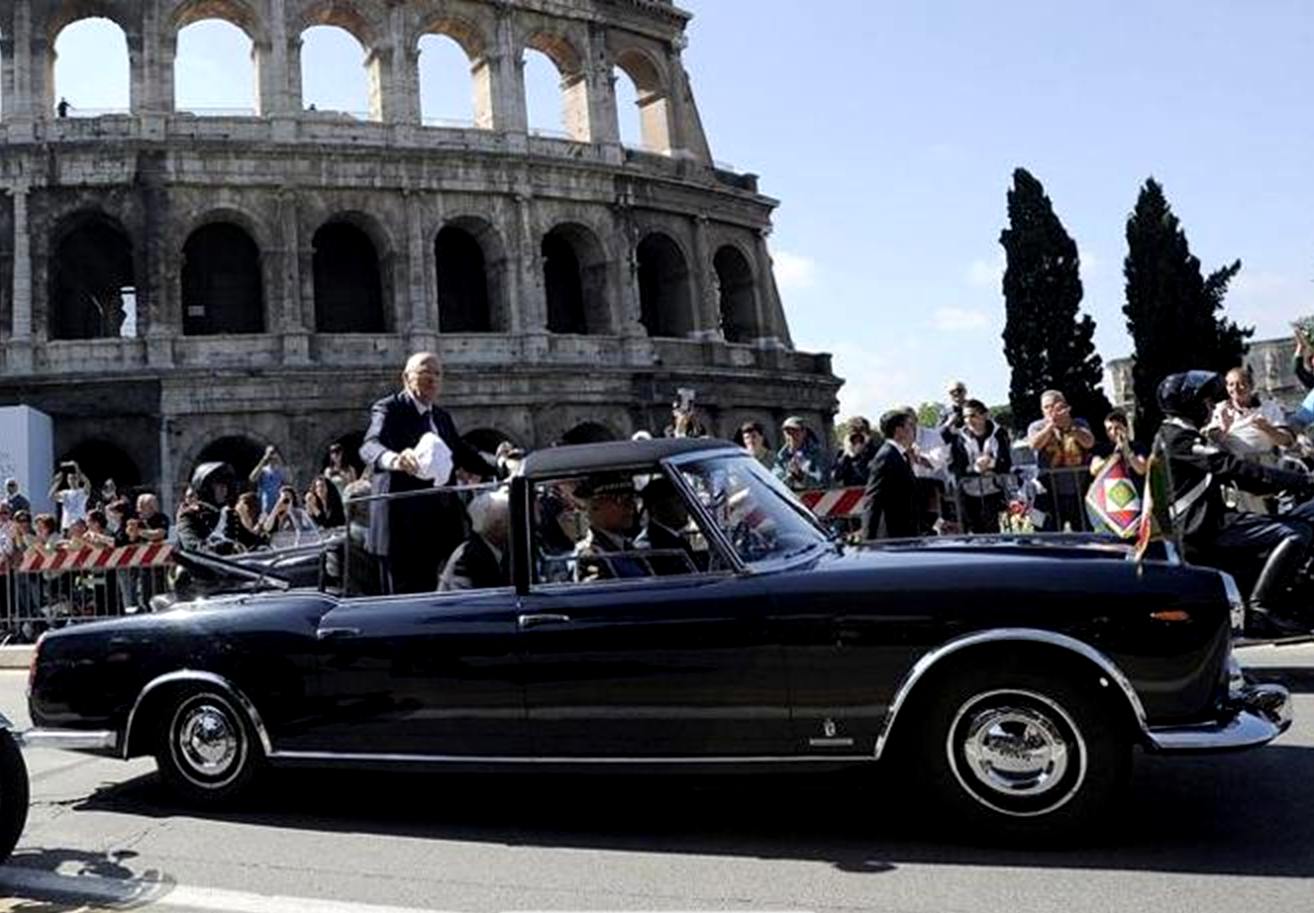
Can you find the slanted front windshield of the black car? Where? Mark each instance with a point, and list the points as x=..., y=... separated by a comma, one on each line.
x=759, y=516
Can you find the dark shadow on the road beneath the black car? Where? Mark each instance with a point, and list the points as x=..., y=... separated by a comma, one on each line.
x=1240, y=815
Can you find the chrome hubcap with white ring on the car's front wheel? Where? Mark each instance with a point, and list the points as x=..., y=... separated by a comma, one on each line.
x=1016, y=752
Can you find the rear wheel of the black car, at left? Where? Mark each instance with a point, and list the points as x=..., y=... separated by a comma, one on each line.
x=206, y=751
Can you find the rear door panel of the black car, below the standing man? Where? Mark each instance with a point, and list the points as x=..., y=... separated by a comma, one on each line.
x=428, y=675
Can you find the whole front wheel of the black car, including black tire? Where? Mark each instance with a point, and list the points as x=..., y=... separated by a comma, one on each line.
x=1018, y=753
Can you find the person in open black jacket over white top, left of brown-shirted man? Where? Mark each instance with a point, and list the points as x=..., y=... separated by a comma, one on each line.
x=980, y=459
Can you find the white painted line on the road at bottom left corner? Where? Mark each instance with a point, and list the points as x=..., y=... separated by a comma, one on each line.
x=36, y=885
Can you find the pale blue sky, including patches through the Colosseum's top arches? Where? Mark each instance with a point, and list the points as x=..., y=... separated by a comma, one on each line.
x=889, y=131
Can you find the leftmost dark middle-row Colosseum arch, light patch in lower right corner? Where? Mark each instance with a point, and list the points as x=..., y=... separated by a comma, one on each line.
x=93, y=283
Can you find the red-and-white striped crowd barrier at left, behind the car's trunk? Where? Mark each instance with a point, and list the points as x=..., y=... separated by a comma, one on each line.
x=49, y=589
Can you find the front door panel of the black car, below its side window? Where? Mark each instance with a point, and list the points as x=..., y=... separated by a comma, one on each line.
x=671, y=667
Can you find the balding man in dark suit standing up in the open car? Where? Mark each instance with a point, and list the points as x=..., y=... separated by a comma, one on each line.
x=415, y=537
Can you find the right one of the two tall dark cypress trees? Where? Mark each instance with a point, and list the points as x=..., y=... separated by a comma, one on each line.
x=1174, y=312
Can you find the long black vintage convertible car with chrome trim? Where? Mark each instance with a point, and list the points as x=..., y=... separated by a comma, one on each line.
x=671, y=605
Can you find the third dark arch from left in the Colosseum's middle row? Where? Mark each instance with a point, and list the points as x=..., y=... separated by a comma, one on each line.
x=349, y=288
